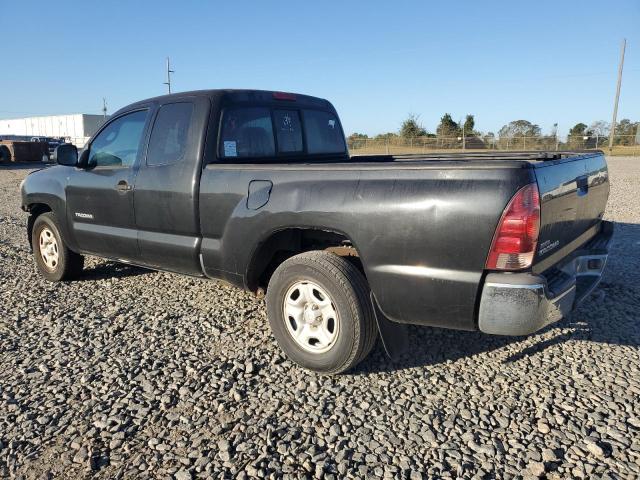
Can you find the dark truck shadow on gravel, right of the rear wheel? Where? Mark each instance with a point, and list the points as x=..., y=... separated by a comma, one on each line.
x=610, y=315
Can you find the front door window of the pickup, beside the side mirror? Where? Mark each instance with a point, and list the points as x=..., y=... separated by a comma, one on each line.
x=118, y=144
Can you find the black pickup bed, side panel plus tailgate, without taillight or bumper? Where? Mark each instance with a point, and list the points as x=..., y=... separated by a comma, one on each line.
x=421, y=223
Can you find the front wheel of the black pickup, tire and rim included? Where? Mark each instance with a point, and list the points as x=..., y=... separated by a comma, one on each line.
x=54, y=260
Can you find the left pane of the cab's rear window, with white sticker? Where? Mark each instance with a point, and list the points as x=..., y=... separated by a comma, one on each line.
x=245, y=133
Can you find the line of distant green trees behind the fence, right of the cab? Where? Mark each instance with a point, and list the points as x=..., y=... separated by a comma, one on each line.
x=411, y=128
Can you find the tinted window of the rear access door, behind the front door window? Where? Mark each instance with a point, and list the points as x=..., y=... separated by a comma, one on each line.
x=169, y=136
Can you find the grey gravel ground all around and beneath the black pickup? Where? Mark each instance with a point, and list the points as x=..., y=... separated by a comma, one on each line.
x=134, y=374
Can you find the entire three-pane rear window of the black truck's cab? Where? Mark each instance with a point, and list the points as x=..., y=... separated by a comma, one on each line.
x=262, y=132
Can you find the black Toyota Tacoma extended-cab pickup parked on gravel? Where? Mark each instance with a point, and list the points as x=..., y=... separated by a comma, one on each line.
x=257, y=188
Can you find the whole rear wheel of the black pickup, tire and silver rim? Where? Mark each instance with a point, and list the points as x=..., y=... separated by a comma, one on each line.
x=300, y=314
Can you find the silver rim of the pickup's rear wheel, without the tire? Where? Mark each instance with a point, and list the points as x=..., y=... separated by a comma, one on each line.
x=311, y=317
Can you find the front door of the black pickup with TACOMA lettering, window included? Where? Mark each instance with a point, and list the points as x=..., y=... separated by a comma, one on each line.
x=100, y=196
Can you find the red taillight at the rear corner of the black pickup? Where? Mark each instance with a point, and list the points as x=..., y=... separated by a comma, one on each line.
x=516, y=237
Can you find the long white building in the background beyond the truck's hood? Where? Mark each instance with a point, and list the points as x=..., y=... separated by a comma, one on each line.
x=76, y=128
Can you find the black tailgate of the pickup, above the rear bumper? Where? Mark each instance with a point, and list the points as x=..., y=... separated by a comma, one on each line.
x=573, y=196
